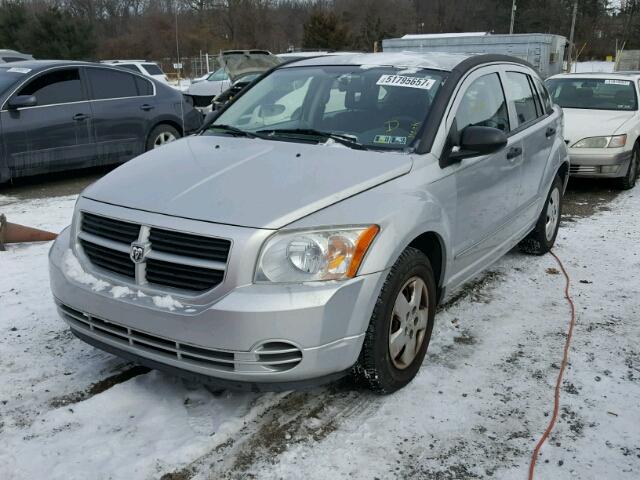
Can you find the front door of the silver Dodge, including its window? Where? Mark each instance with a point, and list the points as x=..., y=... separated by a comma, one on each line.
x=487, y=185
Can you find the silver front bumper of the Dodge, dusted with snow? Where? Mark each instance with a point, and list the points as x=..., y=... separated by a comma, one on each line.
x=254, y=334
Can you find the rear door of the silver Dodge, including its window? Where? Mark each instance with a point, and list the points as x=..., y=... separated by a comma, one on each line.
x=535, y=126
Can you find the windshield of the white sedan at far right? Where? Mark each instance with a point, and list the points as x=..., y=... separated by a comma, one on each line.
x=593, y=93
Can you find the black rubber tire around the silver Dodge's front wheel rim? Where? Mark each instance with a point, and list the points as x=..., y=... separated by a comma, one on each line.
x=375, y=366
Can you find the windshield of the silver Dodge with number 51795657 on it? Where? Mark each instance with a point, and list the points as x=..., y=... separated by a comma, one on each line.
x=379, y=108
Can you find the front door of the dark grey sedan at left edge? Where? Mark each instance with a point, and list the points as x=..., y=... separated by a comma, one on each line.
x=56, y=133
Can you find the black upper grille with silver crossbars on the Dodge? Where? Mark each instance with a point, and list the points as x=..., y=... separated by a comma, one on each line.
x=177, y=260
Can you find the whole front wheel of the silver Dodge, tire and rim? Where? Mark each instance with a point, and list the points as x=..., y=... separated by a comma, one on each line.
x=400, y=328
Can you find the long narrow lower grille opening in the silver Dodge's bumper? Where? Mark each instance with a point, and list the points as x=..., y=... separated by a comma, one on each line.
x=269, y=357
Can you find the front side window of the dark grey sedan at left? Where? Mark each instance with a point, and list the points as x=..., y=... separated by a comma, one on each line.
x=60, y=86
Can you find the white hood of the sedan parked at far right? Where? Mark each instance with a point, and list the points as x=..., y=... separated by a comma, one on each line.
x=583, y=123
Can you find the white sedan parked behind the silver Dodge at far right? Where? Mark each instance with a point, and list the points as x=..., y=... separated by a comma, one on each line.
x=602, y=123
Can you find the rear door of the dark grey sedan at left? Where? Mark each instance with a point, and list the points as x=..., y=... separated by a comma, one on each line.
x=122, y=104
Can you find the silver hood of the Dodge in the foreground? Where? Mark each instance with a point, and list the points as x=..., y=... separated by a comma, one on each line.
x=245, y=182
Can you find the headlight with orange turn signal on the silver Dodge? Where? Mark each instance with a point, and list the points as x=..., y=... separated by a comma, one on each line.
x=313, y=255
